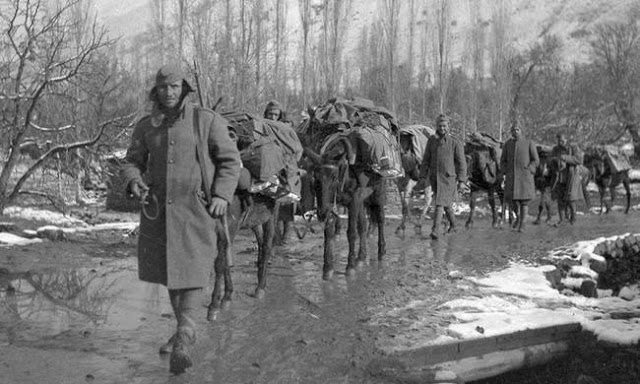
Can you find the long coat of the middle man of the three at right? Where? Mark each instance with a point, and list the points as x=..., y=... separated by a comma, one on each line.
x=518, y=163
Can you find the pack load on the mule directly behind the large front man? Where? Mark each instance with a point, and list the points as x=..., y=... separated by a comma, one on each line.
x=270, y=151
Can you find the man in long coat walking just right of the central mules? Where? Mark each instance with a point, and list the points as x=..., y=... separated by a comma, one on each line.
x=445, y=165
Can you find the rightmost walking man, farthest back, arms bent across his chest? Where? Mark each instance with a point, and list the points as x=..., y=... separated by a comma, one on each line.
x=566, y=161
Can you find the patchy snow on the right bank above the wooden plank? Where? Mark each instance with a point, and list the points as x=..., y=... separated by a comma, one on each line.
x=520, y=297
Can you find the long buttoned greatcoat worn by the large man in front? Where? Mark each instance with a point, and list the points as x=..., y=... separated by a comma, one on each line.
x=177, y=248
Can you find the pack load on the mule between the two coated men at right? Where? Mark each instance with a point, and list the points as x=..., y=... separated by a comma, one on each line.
x=483, y=157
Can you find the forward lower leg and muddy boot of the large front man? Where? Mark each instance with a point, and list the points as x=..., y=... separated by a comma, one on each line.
x=186, y=333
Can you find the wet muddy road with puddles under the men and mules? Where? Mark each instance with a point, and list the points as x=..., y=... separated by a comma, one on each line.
x=74, y=311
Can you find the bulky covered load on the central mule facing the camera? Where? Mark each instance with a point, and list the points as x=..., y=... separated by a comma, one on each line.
x=373, y=129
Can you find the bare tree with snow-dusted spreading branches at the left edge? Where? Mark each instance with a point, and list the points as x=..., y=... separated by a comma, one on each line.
x=39, y=68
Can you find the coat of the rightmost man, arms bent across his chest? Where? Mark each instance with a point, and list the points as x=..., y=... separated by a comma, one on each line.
x=568, y=161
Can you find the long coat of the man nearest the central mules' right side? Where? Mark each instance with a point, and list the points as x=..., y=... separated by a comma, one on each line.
x=445, y=163
